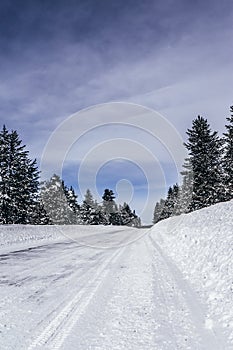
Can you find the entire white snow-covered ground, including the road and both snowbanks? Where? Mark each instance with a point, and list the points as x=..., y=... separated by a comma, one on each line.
x=104, y=288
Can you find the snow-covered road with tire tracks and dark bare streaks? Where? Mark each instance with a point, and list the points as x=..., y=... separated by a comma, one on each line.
x=107, y=294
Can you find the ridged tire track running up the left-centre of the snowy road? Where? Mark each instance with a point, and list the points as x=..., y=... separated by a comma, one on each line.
x=56, y=332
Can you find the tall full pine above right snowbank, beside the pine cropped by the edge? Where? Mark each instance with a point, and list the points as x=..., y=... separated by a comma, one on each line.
x=204, y=148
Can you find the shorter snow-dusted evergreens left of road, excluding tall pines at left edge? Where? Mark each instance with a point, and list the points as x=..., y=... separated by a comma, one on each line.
x=61, y=206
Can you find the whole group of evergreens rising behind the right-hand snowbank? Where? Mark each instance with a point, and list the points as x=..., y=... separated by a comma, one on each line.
x=207, y=176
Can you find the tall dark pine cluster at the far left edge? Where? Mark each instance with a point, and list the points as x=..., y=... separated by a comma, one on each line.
x=18, y=180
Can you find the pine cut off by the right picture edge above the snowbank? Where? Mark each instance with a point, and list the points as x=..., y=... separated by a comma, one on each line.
x=228, y=157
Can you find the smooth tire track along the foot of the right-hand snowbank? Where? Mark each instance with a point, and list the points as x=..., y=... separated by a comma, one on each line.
x=209, y=340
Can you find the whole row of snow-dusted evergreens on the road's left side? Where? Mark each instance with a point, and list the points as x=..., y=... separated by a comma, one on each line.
x=24, y=200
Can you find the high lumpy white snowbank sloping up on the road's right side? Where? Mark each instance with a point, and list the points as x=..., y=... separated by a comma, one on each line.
x=201, y=246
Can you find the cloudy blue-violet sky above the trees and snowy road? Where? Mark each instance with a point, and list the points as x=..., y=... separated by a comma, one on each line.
x=113, y=60
